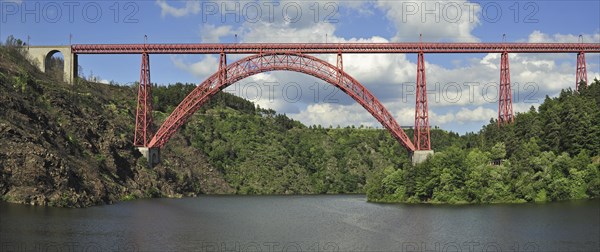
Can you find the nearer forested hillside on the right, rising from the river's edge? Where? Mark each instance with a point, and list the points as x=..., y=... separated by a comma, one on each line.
x=548, y=154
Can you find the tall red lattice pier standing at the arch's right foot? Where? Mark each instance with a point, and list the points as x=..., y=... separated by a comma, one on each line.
x=421, y=133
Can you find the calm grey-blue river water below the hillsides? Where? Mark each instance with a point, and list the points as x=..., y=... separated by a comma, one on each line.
x=300, y=223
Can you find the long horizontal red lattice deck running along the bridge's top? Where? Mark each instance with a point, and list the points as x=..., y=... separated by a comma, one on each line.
x=332, y=48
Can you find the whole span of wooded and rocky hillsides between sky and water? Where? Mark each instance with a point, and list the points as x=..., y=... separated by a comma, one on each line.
x=64, y=145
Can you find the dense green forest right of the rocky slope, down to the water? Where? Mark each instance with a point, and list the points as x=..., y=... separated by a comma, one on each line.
x=261, y=152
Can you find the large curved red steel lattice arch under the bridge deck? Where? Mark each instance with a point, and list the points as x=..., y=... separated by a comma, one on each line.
x=277, y=61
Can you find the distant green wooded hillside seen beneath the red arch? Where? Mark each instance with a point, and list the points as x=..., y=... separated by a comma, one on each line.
x=262, y=152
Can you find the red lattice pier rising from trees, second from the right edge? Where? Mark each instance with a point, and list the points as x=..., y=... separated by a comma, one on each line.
x=505, y=112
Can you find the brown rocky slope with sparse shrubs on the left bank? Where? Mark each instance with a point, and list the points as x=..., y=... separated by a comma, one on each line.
x=71, y=146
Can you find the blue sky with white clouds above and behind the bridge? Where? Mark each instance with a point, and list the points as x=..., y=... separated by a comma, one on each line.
x=457, y=82
